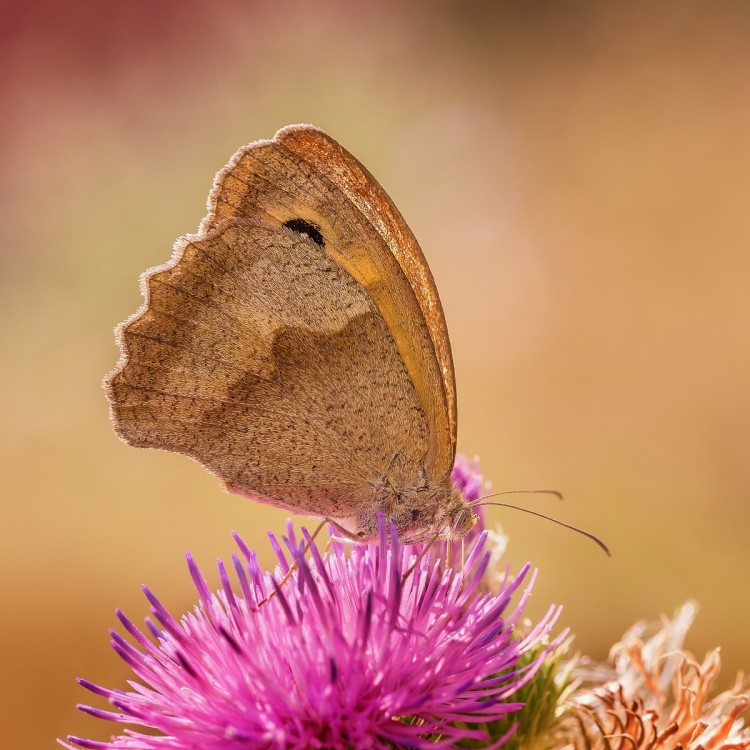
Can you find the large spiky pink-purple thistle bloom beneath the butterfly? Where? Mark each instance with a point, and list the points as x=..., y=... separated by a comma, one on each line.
x=376, y=648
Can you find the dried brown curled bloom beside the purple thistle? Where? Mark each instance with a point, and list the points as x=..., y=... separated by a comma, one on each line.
x=653, y=695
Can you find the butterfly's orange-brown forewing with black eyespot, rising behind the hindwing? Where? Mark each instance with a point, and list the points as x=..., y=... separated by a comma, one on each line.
x=304, y=173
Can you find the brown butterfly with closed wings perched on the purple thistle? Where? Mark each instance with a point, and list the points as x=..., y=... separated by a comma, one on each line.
x=296, y=347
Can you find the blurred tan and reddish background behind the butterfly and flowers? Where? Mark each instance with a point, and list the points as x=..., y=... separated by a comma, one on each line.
x=578, y=175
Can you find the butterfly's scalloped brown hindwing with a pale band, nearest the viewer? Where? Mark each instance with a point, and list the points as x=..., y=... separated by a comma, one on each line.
x=261, y=358
